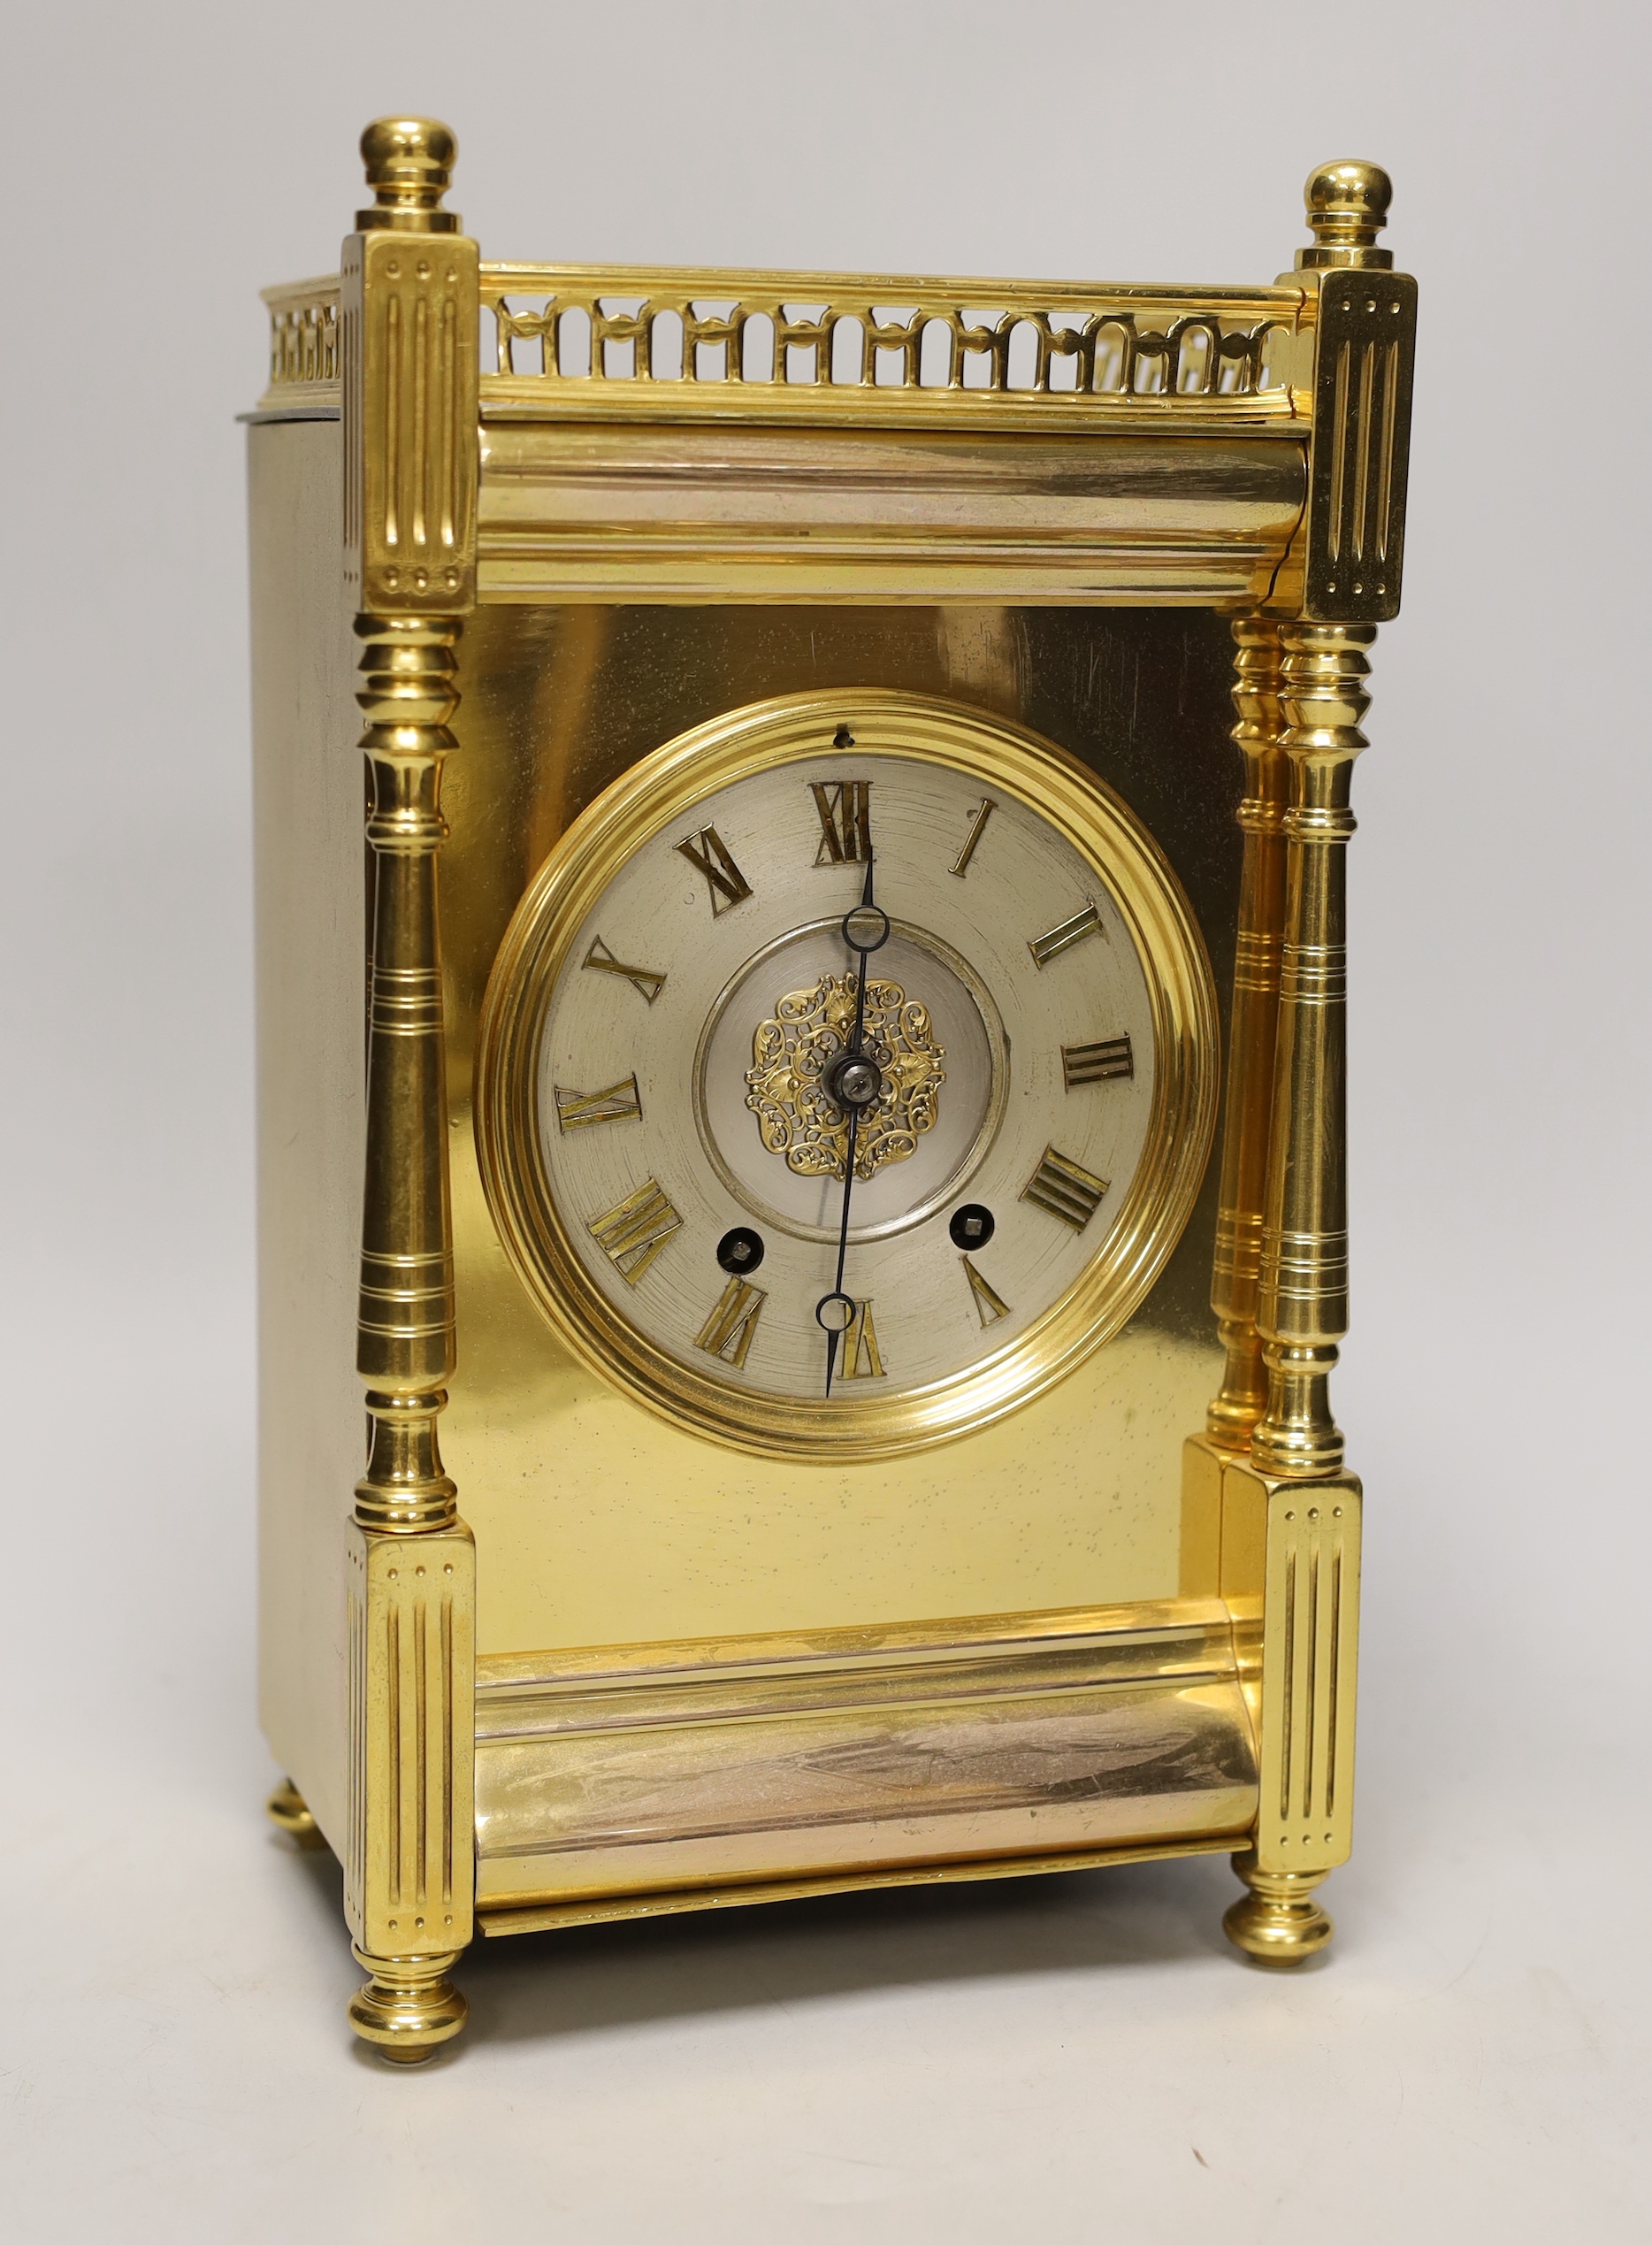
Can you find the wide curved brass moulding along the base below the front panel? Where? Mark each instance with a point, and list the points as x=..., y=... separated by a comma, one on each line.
x=659, y=1768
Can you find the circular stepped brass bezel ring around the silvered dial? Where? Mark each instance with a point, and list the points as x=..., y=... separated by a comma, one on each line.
x=648, y=803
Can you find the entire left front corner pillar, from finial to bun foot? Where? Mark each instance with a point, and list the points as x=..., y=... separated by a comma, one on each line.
x=410, y=425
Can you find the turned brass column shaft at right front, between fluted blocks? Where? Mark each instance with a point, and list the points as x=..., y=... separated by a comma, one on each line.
x=1303, y=1299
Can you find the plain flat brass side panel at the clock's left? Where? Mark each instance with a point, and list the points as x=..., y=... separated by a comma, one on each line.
x=311, y=971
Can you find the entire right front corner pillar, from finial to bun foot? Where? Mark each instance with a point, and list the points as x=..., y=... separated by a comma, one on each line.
x=1292, y=1514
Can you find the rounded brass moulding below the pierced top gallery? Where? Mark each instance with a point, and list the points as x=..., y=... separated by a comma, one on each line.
x=605, y=511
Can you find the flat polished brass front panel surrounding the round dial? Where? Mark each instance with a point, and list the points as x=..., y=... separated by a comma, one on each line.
x=600, y=1525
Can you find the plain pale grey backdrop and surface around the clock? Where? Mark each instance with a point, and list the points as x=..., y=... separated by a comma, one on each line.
x=1070, y=2055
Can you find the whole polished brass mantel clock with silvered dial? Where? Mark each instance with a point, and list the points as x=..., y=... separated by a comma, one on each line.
x=843, y=1029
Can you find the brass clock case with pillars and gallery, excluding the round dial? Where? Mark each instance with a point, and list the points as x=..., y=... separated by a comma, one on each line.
x=576, y=1662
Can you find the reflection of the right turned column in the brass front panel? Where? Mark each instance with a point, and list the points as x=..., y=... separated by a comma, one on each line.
x=1251, y=1034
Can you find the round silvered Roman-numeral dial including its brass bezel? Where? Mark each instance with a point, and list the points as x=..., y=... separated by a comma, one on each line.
x=847, y=1074
